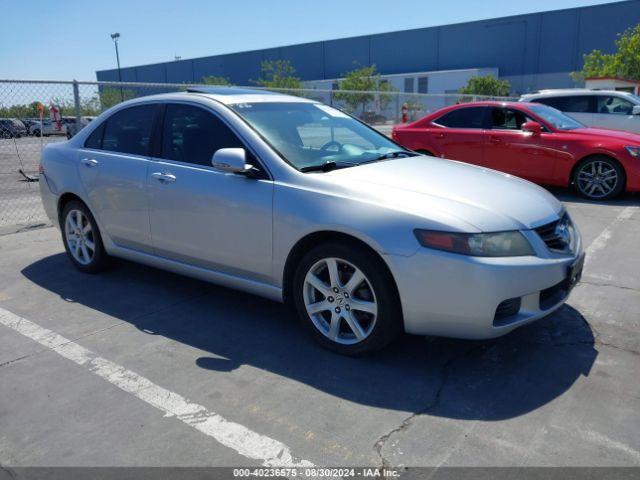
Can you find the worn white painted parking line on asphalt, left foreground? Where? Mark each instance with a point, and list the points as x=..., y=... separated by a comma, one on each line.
x=246, y=442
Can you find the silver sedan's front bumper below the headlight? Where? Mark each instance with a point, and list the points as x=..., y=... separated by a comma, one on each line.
x=457, y=296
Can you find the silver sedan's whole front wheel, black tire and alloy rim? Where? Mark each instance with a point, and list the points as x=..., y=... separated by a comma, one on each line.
x=347, y=299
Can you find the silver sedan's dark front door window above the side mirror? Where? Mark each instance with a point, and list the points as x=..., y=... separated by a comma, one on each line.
x=192, y=135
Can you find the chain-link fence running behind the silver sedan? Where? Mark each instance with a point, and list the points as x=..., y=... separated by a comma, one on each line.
x=34, y=114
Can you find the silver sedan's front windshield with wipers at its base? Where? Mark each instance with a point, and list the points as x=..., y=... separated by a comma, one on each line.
x=315, y=137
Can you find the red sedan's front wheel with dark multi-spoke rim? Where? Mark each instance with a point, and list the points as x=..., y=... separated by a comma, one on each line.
x=599, y=178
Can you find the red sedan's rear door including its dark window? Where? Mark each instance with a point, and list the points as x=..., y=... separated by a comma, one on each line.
x=459, y=134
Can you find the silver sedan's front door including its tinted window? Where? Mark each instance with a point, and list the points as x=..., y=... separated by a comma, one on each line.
x=202, y=216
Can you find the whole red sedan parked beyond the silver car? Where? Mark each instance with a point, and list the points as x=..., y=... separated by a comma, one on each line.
x=532, y=141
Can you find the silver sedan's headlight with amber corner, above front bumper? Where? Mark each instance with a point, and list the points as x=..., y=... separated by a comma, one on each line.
x=499, y=244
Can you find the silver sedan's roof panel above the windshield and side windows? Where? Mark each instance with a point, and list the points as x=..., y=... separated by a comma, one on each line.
x=225, y=95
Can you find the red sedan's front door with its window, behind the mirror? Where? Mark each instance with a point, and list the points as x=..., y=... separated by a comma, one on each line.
x=511, y=150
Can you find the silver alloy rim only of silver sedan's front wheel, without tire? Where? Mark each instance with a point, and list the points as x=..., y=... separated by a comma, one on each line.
x=340, y=301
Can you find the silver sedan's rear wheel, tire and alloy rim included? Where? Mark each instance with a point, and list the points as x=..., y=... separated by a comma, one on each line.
x=82, y=239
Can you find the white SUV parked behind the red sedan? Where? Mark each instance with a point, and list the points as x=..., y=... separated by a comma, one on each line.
x=594, y=108
